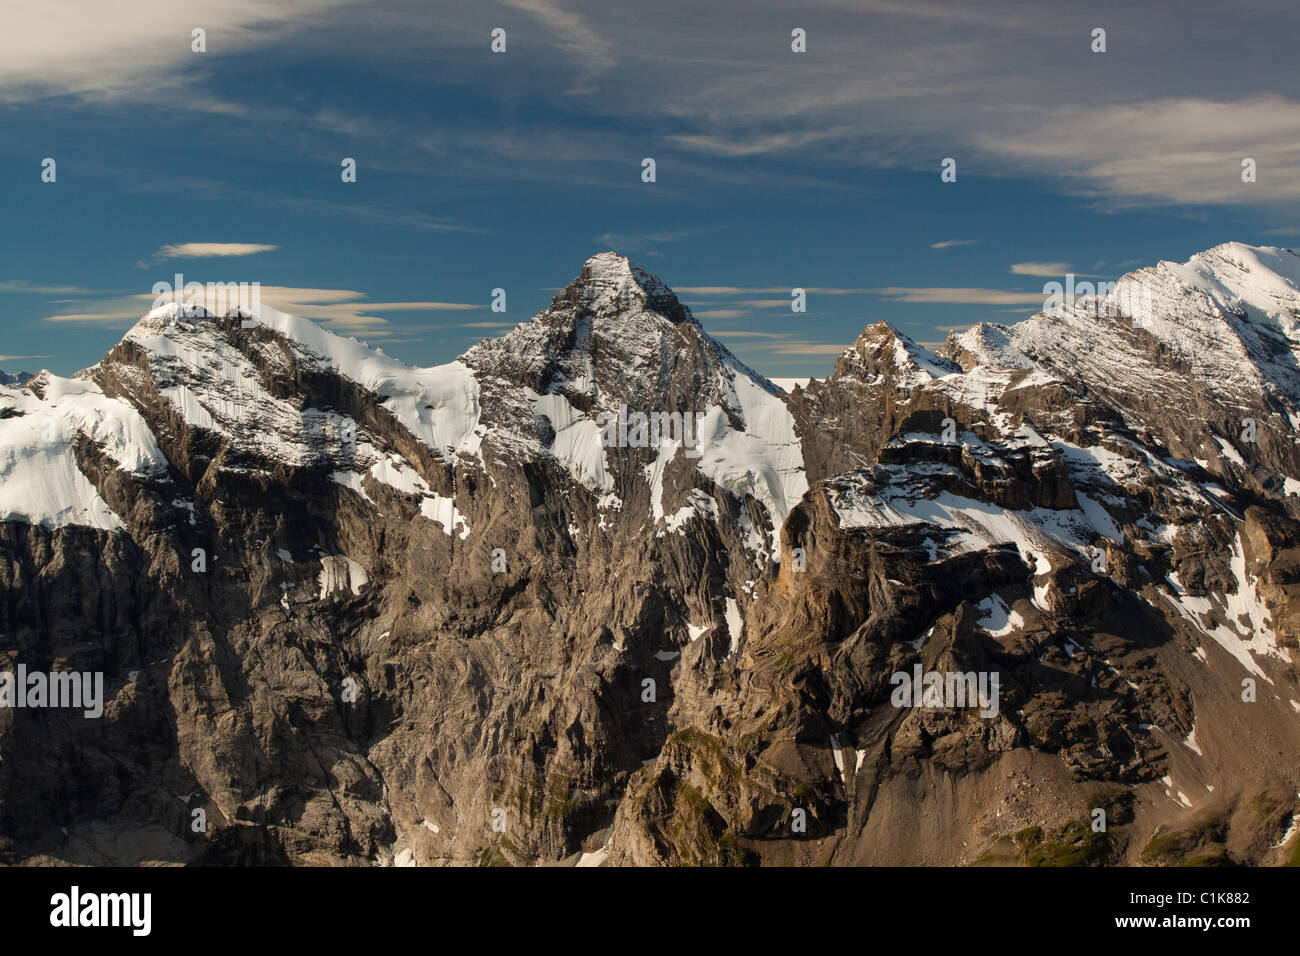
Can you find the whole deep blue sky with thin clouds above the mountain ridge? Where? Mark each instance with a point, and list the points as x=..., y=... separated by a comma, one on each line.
x=480, y=171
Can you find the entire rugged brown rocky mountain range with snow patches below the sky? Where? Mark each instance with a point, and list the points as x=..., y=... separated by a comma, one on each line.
x=599, y=594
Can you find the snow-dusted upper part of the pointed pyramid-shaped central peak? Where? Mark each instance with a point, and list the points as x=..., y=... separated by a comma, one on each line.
x=618, y=340
